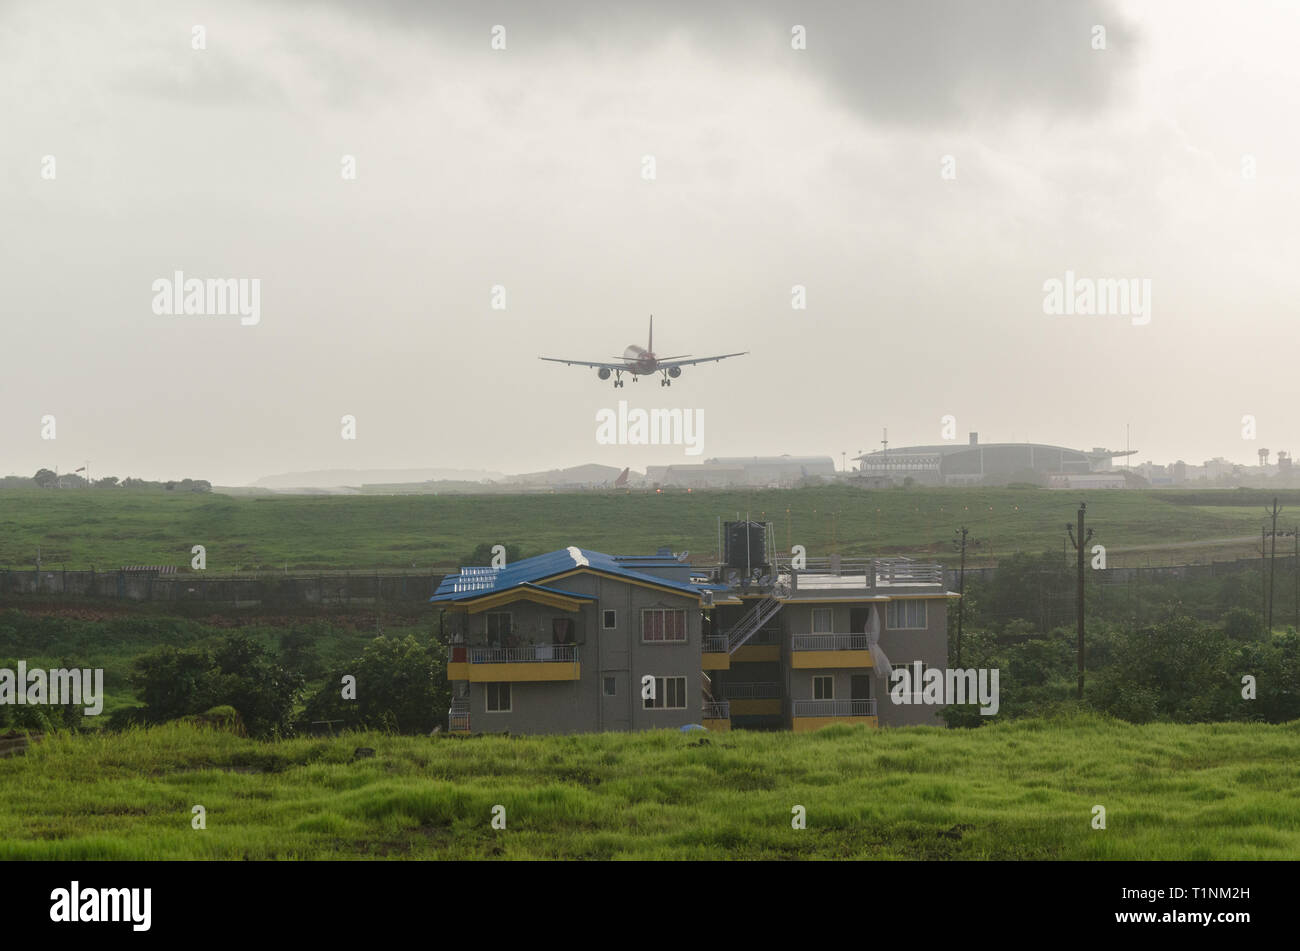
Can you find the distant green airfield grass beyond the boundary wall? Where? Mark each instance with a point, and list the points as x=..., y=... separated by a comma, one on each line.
x=114, y=528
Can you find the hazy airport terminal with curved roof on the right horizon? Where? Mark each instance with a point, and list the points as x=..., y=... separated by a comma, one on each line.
x=974, y=463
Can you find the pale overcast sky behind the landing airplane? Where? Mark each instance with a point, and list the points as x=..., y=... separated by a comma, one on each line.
x=523, y=168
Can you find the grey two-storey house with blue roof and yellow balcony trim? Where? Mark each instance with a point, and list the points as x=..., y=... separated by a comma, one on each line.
x=578, y=641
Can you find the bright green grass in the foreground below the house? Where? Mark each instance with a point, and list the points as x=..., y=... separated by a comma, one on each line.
x=1011, y=791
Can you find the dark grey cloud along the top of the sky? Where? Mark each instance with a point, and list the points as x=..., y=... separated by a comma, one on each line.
x=898, y=62
